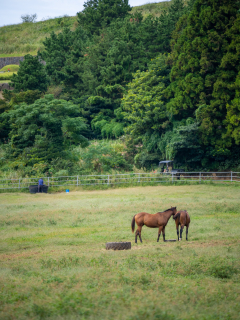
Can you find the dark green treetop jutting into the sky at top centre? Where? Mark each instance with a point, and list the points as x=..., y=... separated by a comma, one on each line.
x=100, y=13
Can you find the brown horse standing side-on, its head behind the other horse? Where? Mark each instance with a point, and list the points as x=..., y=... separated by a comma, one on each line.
x=157, y=220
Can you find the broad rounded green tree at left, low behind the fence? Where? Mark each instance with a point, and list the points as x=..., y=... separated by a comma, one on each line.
x=42, y=131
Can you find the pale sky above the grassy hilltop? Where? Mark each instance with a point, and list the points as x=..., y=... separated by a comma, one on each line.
x=11, y=10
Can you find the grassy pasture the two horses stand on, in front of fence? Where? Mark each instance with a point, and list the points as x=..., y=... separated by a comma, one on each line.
x=53, y=262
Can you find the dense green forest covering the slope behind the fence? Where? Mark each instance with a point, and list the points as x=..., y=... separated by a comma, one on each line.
x=159, y=88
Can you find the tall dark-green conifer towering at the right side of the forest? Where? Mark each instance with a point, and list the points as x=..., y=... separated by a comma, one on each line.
x=202, y=81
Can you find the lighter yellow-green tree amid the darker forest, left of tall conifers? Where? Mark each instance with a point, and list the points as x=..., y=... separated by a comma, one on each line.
x=144, y=109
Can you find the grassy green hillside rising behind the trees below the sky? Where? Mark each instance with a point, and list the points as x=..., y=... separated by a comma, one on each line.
x=20, y=39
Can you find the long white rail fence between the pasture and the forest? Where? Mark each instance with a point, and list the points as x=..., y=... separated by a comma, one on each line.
x=125, y=178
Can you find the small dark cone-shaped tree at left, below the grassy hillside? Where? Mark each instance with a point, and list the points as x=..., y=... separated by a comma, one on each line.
x=31, y=75
